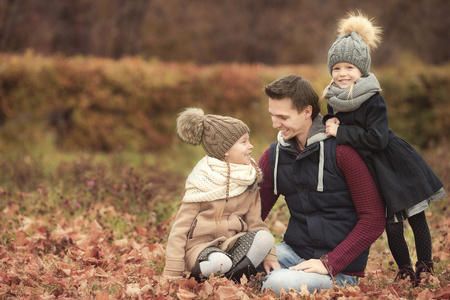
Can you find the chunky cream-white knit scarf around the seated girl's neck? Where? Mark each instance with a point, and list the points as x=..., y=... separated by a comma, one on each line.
x=208, y=180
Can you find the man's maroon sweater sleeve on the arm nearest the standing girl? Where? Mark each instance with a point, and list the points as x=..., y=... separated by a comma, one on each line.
x=367, y=201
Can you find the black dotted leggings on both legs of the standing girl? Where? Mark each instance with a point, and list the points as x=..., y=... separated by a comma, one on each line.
x=422, y=238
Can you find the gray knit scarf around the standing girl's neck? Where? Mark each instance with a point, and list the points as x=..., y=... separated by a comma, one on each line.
x=341, y=101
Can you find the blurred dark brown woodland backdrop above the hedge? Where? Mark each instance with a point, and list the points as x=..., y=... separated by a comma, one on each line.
x=207, y=32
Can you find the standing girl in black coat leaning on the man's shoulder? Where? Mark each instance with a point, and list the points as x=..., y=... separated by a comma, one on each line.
x=357, y=115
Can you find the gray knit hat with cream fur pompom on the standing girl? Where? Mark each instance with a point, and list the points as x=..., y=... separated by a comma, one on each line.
x=357, y=37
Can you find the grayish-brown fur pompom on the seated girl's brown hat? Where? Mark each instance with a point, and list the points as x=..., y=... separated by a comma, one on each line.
x=190, y=125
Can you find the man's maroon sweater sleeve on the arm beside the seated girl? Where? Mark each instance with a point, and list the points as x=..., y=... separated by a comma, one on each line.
x=268, y=198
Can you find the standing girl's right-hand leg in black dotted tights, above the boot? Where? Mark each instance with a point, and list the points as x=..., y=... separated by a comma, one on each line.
x=422, y=237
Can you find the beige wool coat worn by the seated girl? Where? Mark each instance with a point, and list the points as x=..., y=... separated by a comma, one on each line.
x=195, y=229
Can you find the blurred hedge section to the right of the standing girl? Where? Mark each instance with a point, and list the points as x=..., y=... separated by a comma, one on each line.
x=417, y=100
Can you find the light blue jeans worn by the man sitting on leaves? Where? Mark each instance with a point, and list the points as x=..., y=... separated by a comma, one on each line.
x=286, y=278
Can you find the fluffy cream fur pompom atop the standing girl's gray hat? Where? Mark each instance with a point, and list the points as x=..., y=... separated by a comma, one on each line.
x=360, y=24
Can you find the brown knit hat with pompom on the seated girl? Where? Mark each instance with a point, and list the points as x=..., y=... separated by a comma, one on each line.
x=217, y=134
